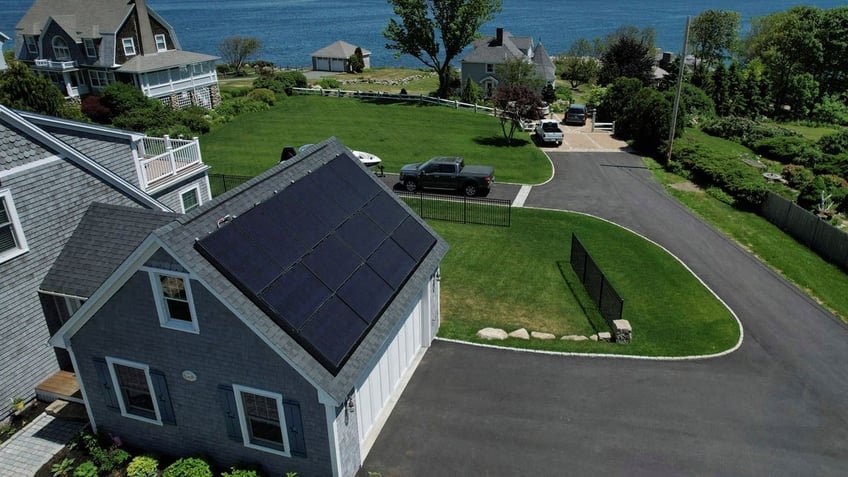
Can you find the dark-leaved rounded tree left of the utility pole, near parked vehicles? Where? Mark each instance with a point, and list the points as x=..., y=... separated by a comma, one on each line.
x=627, y=57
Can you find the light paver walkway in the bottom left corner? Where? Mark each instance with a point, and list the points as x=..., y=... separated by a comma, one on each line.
x=32, y=447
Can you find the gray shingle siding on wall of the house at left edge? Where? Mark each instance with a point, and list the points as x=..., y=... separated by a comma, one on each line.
x=50, y=201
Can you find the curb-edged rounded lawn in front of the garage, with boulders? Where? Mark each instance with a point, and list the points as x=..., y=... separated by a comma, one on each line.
x=520, y=277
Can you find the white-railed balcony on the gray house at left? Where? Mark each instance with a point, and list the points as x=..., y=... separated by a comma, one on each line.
x=165, y=159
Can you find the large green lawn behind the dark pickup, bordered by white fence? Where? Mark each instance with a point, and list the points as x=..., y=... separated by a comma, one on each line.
x=399, y=133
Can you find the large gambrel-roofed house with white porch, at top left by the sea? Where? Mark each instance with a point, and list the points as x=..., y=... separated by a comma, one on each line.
x=84, y=45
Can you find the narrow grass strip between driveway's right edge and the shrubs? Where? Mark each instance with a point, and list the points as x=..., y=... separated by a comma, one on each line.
x=823, y=281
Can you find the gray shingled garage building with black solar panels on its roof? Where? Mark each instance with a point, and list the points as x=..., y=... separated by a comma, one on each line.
x=276, y=325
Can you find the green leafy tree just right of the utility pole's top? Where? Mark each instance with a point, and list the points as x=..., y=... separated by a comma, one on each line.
x=713, y=35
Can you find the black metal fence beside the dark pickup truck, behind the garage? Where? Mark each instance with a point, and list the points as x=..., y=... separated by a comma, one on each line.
x=457, y=208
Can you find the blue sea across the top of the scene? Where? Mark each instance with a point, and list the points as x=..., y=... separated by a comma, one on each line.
x=292, y=29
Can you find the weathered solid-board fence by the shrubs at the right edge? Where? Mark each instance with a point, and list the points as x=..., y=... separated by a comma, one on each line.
x=826, y=240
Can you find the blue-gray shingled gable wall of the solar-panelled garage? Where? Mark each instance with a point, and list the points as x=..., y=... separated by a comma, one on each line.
x=217, y=355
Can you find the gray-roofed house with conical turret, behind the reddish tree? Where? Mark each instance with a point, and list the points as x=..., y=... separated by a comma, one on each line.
x=490, y=51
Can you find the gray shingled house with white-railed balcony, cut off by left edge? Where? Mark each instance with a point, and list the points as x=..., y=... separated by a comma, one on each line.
x=51, y=170
